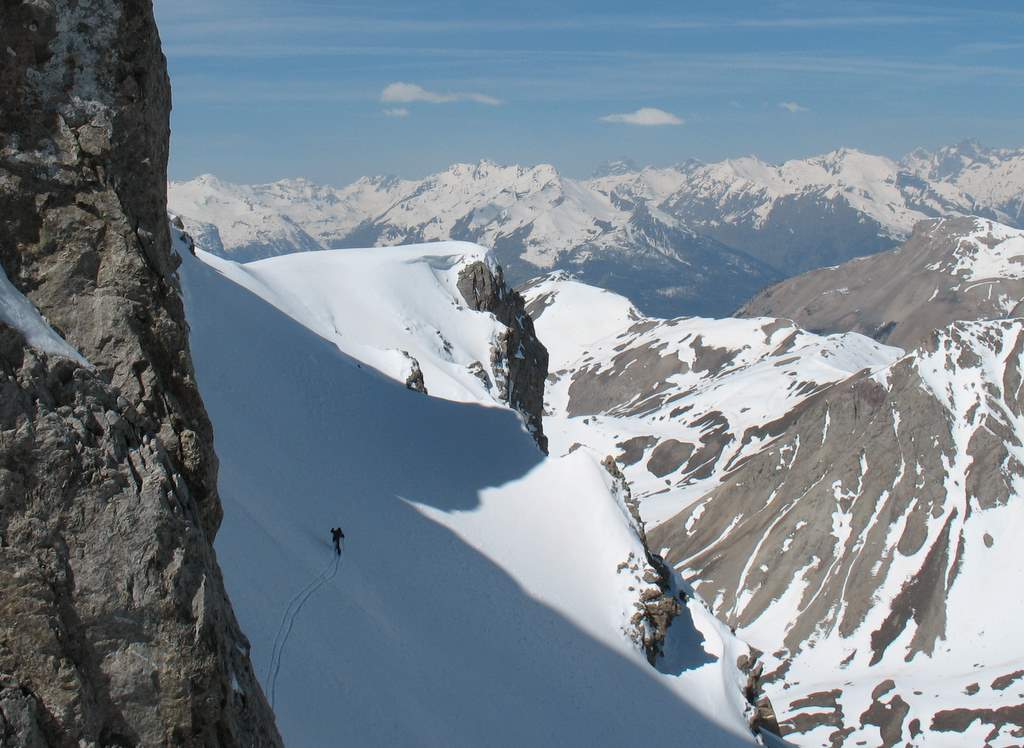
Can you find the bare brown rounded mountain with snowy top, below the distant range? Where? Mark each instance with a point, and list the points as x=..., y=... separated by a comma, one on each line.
x=954, y=269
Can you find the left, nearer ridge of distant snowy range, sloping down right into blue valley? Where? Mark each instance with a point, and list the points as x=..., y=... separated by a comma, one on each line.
x=534, y=219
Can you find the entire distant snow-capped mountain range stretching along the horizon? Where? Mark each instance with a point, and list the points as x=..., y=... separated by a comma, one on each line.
x=689, y=239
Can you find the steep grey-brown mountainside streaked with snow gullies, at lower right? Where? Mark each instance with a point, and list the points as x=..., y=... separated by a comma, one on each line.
x=859, y=542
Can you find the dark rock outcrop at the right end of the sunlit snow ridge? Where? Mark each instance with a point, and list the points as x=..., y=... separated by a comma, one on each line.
x=518, y=352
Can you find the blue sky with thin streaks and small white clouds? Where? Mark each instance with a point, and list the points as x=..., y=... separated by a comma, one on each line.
x=266, y=90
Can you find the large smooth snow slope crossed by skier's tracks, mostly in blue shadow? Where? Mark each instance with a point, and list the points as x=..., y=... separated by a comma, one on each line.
x=426, y=636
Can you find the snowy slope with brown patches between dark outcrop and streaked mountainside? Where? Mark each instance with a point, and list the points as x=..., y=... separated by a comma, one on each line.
x=678, y=403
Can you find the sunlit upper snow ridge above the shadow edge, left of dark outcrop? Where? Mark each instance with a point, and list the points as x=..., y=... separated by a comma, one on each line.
x=386, y=308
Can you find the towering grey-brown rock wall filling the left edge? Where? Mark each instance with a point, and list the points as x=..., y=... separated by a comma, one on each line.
x=116, y=627
